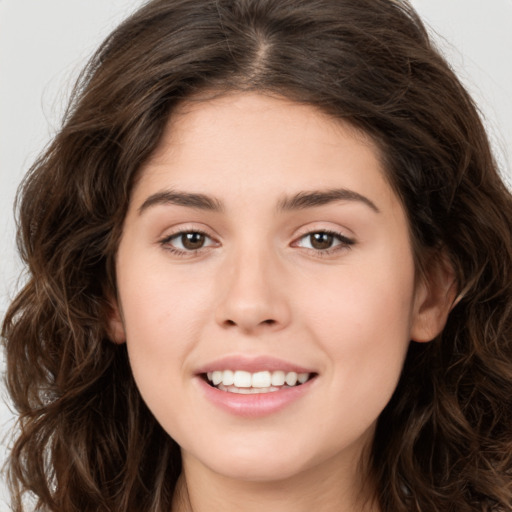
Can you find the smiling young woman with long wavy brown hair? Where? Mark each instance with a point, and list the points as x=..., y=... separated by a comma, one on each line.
x=270, y=260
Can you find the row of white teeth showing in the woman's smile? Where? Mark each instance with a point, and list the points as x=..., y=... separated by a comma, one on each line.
x=264, y=381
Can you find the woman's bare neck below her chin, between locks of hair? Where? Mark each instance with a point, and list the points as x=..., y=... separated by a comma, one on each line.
x=321, y=490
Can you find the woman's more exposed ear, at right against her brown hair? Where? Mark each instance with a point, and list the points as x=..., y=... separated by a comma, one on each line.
x=434, y=298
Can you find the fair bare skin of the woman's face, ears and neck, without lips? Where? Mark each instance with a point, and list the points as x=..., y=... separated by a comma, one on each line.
x=258, y=287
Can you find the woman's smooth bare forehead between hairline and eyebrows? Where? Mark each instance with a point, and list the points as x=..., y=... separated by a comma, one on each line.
x=236, y=136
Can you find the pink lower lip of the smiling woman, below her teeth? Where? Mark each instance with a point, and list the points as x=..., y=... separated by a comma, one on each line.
x=254, y=405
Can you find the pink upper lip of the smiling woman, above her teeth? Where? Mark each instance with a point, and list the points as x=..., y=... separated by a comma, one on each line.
x=252, y=364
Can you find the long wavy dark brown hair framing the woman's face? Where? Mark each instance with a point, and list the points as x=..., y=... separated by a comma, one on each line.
x=86, y=440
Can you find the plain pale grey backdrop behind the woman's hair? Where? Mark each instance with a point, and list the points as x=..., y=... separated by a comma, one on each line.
x=45, y=43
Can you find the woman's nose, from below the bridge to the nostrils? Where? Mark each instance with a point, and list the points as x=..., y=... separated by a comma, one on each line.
x=253, y=294
